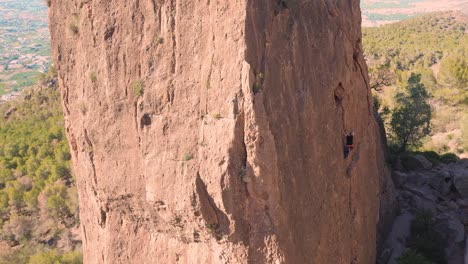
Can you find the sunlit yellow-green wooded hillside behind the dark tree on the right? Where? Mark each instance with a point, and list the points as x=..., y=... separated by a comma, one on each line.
x=436, y=47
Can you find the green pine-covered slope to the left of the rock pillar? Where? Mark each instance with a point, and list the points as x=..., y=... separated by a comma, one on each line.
x=38, y=200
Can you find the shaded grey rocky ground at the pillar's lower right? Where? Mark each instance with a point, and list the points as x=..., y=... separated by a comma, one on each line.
x=434, y=191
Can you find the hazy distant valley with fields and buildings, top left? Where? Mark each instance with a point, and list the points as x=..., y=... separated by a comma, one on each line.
x=24, y=45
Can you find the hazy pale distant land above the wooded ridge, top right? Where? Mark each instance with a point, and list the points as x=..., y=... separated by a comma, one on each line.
x=378, y=12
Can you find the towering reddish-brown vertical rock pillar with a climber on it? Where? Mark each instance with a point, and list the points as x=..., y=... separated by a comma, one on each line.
x=212, y=132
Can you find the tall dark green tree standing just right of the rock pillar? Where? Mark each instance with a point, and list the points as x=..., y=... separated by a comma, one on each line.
x=411, y=119
